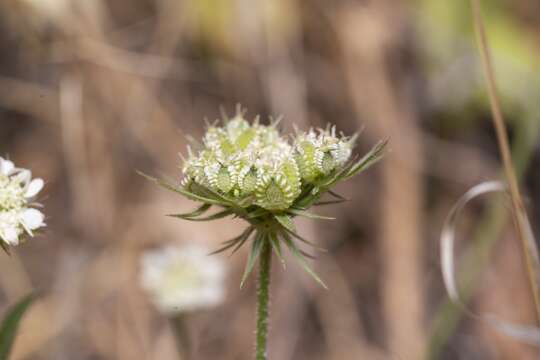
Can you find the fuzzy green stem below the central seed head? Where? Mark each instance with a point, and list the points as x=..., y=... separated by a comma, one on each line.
x=263, y=299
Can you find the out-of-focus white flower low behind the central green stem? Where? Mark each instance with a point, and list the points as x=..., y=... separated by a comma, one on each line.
x=181, y=279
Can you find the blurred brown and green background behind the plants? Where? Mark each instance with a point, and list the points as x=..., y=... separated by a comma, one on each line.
x=91, y=91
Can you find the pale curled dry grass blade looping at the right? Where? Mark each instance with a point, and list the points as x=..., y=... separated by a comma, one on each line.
x=523, y=333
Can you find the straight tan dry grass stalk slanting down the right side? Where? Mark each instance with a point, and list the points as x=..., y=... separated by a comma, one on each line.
x=519, y=213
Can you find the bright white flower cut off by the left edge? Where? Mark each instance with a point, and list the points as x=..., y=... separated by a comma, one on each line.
x=17, y=215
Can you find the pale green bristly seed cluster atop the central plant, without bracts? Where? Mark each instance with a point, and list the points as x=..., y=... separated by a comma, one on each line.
x=242, y=159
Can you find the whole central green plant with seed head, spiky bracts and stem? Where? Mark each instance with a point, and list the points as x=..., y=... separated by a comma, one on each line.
x=251, y=171
